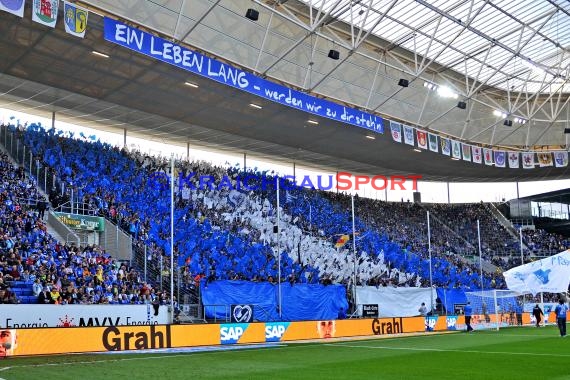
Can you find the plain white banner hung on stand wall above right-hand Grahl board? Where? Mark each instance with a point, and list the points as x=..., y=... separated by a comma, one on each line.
x=395, y=302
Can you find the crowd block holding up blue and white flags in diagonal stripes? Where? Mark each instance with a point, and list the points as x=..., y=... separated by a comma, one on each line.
x=228, y=233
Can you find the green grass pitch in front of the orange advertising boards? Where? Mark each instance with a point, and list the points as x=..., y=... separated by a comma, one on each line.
x=517, y=353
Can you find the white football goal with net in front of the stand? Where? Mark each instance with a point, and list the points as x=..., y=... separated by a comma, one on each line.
x=493, y=309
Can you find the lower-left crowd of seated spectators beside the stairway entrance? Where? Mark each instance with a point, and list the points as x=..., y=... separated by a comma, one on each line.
x=60, y=273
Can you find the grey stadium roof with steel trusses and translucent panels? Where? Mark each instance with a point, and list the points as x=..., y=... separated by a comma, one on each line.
x=45, y=70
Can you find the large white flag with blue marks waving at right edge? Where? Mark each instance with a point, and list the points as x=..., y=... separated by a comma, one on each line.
x=549, y=275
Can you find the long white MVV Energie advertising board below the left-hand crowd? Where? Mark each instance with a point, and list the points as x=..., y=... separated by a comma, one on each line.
x=22, y=316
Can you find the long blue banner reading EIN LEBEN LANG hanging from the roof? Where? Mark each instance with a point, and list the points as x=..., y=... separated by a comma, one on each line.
x=189, y=60
